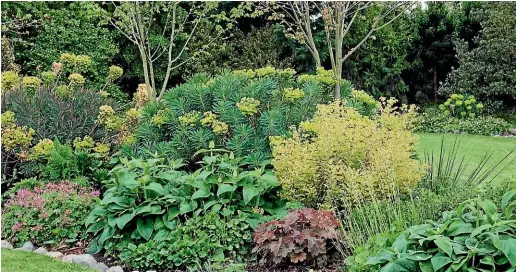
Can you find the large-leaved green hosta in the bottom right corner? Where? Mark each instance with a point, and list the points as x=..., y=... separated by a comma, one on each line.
x=477, y=236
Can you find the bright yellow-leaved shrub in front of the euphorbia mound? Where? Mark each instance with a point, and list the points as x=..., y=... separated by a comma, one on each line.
x=341, y=156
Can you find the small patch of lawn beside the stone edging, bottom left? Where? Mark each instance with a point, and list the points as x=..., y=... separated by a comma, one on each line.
x=24, y=261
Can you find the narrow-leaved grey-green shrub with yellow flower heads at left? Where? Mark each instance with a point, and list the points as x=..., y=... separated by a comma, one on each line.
x=59, y=108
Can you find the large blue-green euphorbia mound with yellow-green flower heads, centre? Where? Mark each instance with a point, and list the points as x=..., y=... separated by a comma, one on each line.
x=236, y=111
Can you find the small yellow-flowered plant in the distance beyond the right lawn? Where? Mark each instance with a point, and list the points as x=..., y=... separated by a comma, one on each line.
x=461, y=106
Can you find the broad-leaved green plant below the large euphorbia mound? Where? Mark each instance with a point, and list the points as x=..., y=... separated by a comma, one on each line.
x=147, y=199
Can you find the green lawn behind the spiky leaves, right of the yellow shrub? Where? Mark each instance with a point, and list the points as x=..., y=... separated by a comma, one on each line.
x=473, y=147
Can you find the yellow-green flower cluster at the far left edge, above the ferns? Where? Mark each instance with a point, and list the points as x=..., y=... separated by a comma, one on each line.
x=13, y=136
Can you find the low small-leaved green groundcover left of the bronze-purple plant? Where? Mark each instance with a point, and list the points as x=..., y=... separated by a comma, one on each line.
x=201, y=240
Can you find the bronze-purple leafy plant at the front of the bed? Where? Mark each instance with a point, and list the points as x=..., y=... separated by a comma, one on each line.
x=303, y=235
